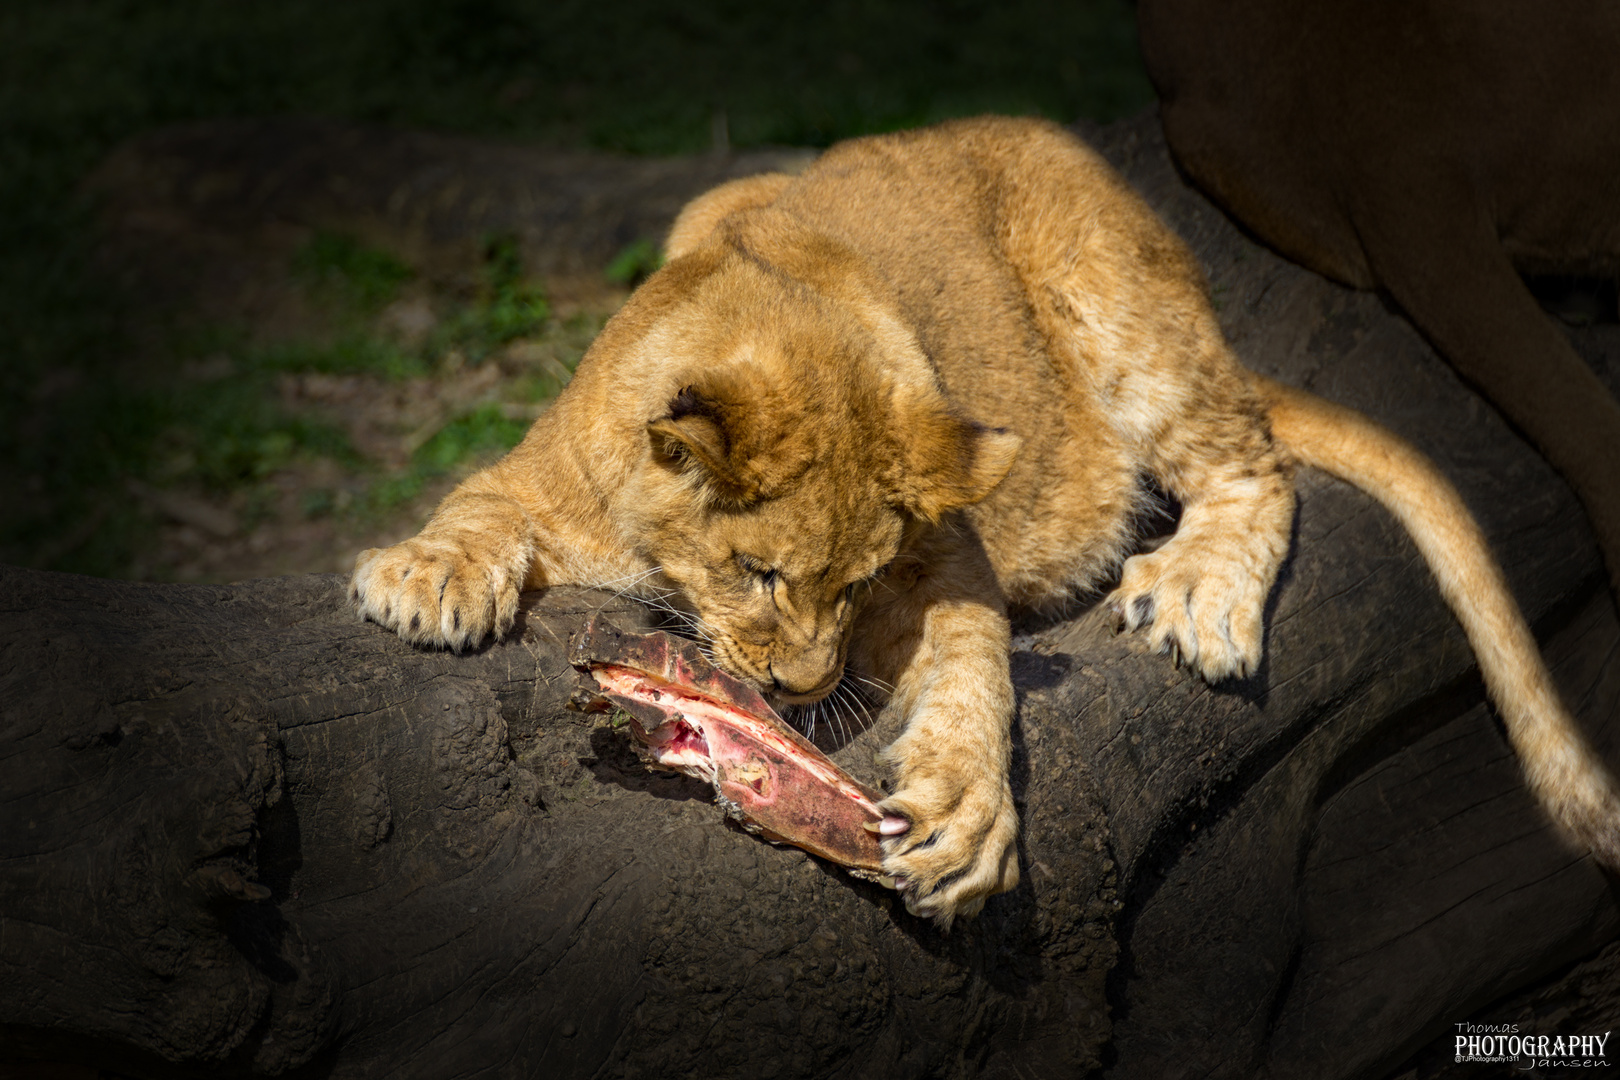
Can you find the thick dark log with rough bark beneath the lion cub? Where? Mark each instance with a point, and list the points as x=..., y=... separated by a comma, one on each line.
x=244, y=835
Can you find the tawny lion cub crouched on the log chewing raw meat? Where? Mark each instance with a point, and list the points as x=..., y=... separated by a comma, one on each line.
x=866, y=410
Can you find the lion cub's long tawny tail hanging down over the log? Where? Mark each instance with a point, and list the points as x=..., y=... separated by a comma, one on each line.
x=1562, y=770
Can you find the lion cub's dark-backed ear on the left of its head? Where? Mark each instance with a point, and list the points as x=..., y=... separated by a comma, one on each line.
x=743, y=444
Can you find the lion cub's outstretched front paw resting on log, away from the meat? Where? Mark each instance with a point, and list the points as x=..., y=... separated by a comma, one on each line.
x=435, y=592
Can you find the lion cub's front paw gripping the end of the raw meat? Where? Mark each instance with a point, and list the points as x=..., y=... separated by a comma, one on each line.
x=960, y=844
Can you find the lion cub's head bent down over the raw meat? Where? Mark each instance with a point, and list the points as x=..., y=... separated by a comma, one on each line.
x=796, y=441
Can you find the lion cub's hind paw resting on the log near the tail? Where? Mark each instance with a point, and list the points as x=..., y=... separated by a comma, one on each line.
x=1204, y=610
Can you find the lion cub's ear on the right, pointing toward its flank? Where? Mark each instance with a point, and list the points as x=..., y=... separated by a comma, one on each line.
x=949, y=461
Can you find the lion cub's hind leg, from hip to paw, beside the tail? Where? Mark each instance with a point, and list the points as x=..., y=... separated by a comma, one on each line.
x=1123, y=308
